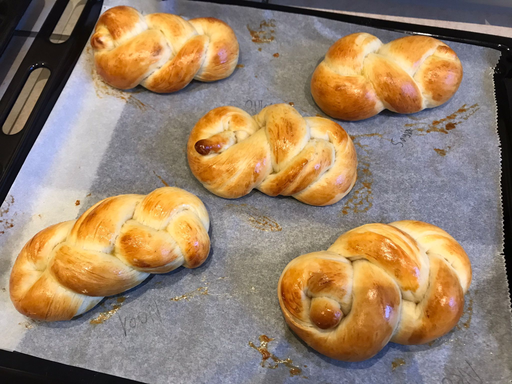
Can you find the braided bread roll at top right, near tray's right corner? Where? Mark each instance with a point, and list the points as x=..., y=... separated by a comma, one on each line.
x=360, y=77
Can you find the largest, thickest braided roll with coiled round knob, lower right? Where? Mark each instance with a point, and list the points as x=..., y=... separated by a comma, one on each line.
x=403, y=282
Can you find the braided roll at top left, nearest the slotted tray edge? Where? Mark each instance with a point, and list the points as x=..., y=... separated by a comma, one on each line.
x=160, y=51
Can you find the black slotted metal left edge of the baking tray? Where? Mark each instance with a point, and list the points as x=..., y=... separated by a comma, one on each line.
x=60, y=59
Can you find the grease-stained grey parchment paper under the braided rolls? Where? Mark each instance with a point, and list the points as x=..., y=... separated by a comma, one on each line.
x=441, y=166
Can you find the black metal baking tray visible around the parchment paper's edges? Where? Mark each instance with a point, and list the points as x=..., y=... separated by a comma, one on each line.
x=16, y=366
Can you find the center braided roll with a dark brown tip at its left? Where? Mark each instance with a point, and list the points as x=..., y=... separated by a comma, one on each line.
x=277, y=151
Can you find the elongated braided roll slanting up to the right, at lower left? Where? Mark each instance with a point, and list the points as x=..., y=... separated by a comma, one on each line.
x=68, y=268
